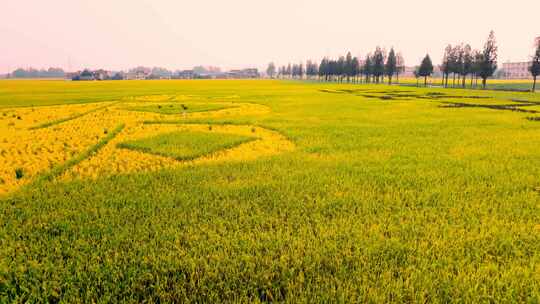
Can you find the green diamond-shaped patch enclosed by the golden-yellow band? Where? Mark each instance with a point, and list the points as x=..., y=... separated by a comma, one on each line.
x=186, y=145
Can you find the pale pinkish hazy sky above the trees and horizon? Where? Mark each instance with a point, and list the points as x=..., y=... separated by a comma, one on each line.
x=177, y=34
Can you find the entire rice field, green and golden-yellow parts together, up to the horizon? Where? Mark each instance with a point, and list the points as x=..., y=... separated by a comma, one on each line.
x=267, y=191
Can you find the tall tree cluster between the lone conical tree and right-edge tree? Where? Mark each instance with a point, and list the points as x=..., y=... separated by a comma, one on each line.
x=461, y=60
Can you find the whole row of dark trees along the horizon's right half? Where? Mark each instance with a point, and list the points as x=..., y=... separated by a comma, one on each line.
x=460, y=63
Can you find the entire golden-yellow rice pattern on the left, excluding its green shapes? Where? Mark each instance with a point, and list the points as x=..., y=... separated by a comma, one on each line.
x=35, y=139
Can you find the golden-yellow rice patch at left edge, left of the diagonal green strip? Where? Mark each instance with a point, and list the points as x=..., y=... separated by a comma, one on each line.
x=27, y=152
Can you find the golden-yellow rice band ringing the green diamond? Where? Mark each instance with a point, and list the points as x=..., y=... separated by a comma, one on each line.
x=112, y=160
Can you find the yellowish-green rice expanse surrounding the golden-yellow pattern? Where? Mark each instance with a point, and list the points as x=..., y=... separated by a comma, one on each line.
x=397, y=200
